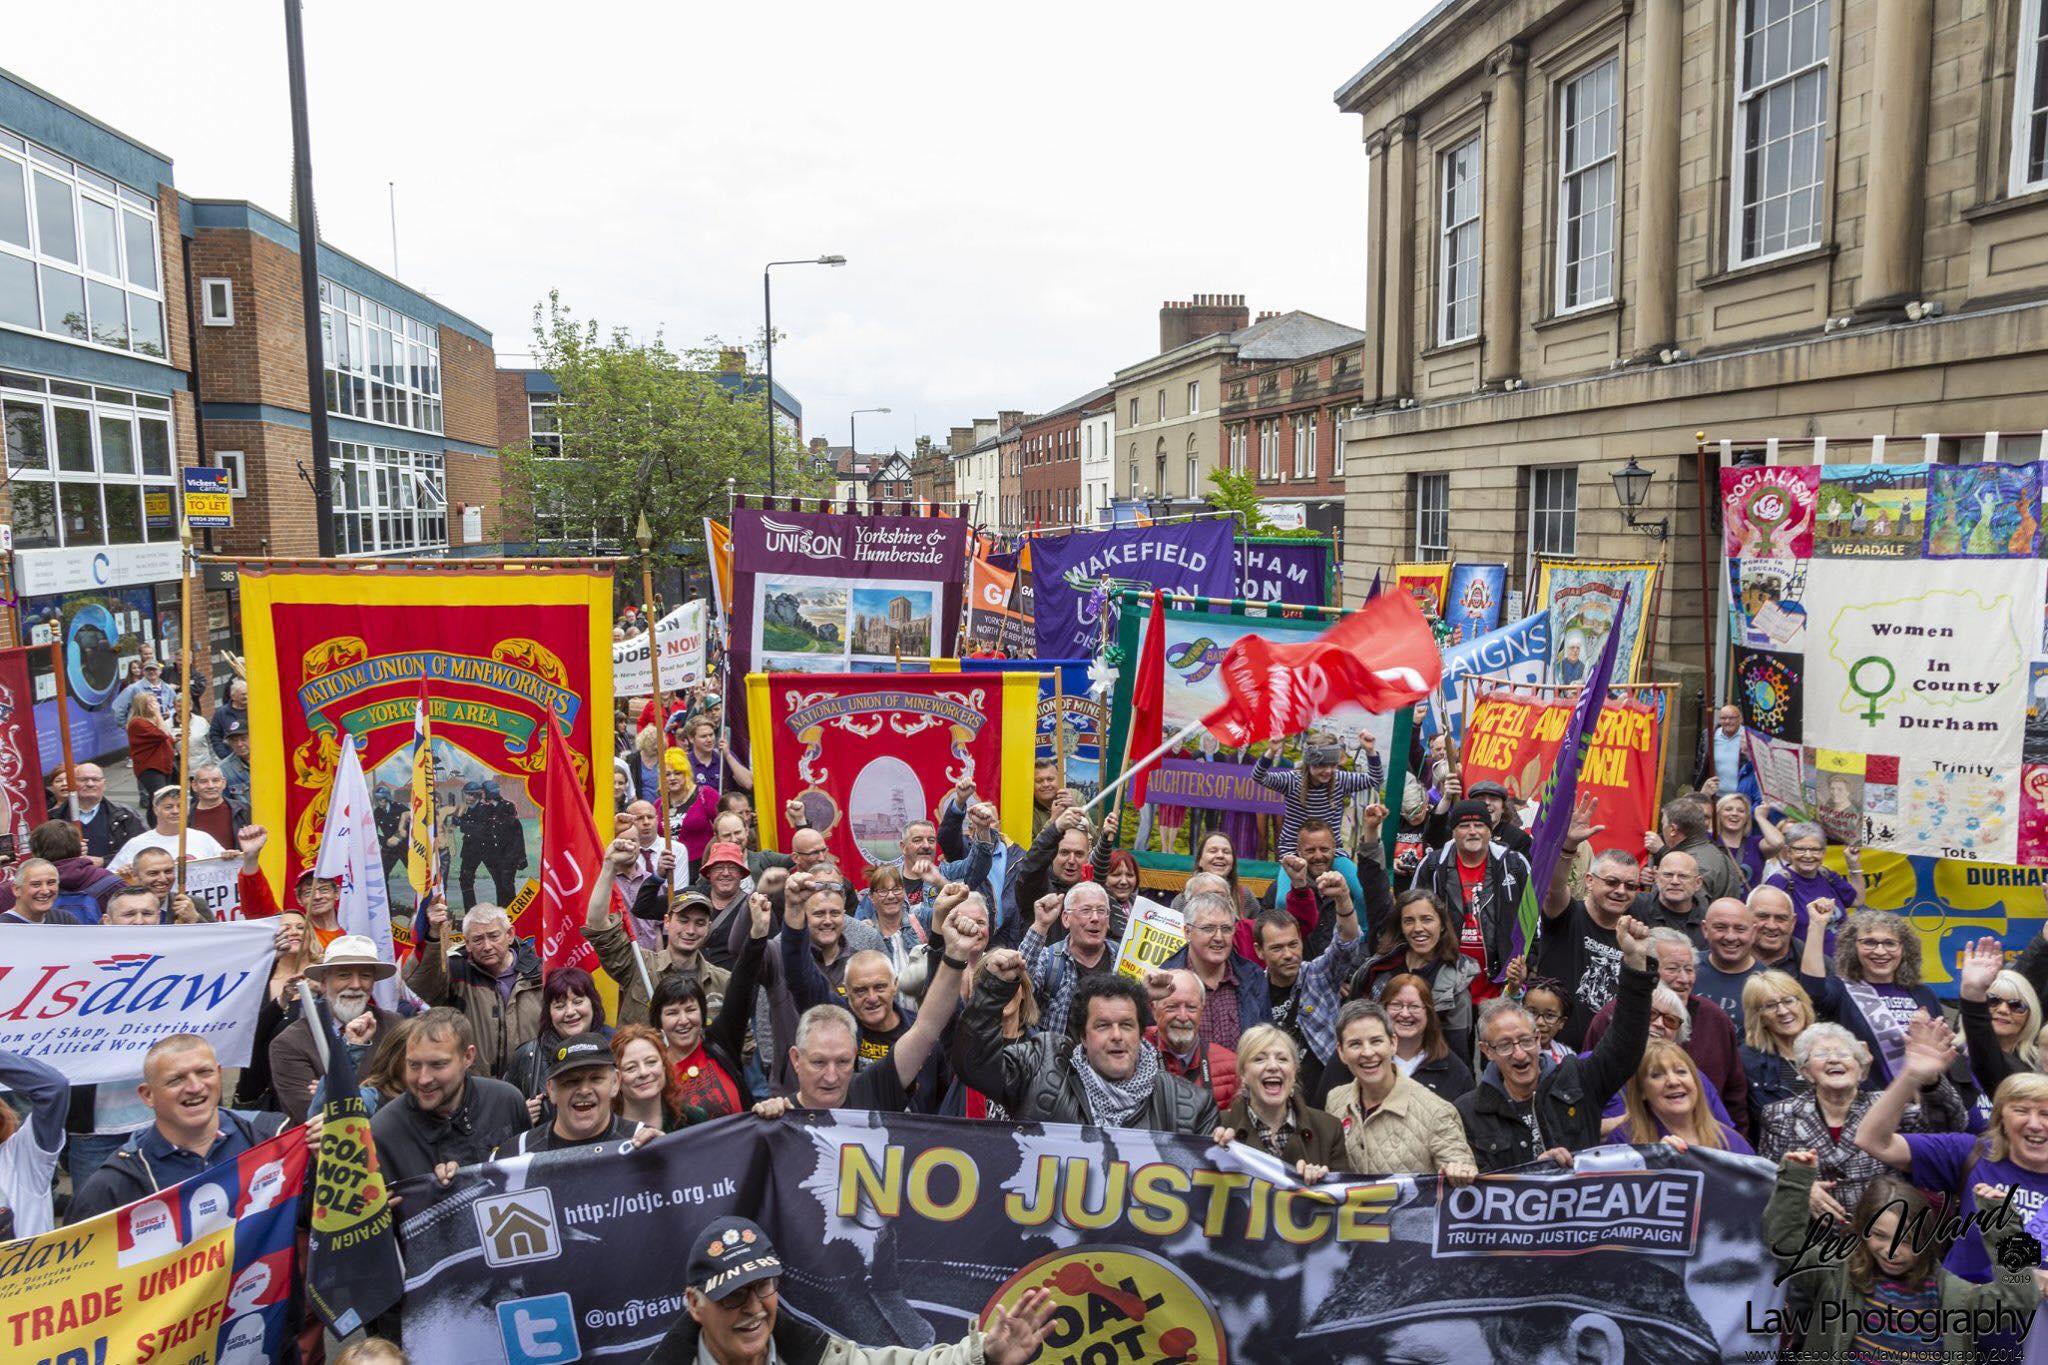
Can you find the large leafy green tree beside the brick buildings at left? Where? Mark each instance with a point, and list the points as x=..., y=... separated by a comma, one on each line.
x=644, y=431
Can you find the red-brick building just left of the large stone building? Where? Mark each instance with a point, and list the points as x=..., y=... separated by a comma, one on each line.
x=1285, y=392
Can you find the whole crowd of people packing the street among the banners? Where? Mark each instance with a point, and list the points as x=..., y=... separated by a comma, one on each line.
x=1705, y=985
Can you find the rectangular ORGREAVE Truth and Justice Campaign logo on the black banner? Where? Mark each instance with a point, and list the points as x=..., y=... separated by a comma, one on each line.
x=1623, y=1210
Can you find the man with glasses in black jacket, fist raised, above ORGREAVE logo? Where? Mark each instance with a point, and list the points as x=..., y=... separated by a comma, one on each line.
x=1529, y=1108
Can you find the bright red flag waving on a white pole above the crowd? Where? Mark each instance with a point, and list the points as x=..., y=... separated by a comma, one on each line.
x=1379, y=658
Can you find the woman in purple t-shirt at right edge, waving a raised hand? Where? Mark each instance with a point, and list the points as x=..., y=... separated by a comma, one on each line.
x=2012, y=1153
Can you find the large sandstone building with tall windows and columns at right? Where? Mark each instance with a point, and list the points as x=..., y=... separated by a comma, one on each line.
x=1596, y=230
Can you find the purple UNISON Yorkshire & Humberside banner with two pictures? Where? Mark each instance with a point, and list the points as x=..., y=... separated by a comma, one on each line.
x=839, y=592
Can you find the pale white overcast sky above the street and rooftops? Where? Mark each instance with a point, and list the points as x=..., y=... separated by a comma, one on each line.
x=1017, y=189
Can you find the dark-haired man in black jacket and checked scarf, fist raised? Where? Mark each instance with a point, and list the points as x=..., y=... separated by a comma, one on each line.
x=1103, y=1073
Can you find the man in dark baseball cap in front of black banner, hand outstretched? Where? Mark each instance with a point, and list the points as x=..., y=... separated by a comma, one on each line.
x=734, y=1315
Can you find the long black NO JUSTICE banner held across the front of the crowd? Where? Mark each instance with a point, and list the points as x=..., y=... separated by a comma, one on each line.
x=908, y=1231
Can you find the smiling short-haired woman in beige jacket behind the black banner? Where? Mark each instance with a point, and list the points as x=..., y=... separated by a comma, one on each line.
x=1392, y=1125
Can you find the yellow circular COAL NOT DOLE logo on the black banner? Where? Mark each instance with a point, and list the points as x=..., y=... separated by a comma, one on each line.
x=1119, y=1307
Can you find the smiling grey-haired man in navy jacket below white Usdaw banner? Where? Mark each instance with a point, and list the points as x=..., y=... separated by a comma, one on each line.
x=181, y=1082
